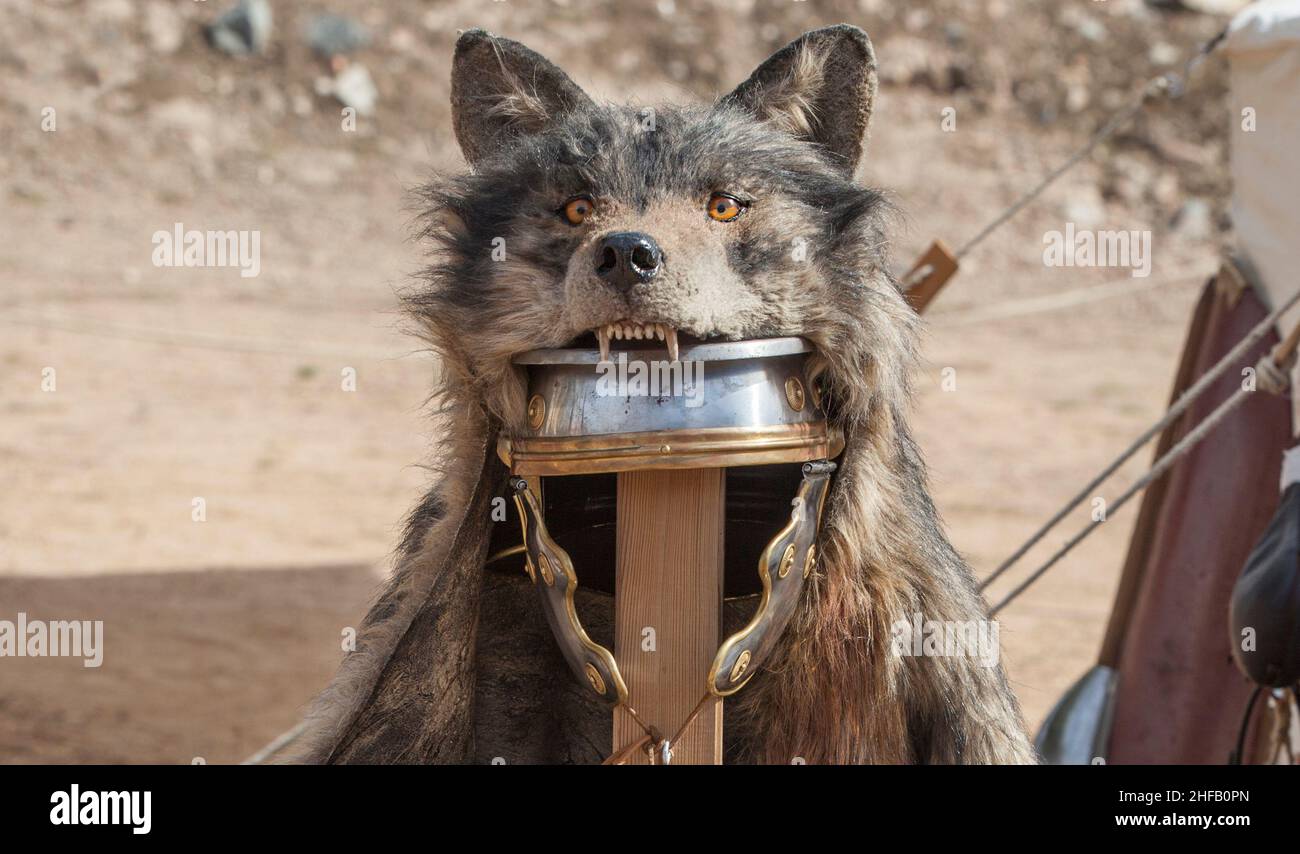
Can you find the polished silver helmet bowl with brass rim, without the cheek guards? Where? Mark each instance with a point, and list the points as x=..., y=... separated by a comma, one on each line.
x=721, y=405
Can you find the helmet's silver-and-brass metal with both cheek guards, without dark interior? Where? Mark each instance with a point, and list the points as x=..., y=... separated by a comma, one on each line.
x=720, y=406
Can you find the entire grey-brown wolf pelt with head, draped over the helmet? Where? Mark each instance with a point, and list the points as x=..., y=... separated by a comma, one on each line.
x=454, y=662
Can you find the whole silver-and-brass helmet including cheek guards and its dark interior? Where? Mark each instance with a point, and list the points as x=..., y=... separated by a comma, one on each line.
x=751, y=408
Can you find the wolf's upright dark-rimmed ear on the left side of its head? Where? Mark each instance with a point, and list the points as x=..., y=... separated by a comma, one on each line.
x=501, y=90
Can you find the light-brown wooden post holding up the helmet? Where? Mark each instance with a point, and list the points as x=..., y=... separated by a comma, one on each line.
x=670, y=579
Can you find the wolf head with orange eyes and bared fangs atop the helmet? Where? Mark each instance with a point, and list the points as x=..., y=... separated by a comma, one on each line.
x=584, y=223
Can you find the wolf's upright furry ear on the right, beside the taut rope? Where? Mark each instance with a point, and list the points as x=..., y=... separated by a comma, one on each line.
x=818, y=88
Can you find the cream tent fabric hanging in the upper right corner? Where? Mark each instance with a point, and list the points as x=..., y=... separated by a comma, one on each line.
x=1263, y=49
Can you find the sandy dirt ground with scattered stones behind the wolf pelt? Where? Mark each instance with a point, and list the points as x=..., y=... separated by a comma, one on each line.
x=184, y=384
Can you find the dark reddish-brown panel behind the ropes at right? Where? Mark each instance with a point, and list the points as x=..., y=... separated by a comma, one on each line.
x=1180, y=697
